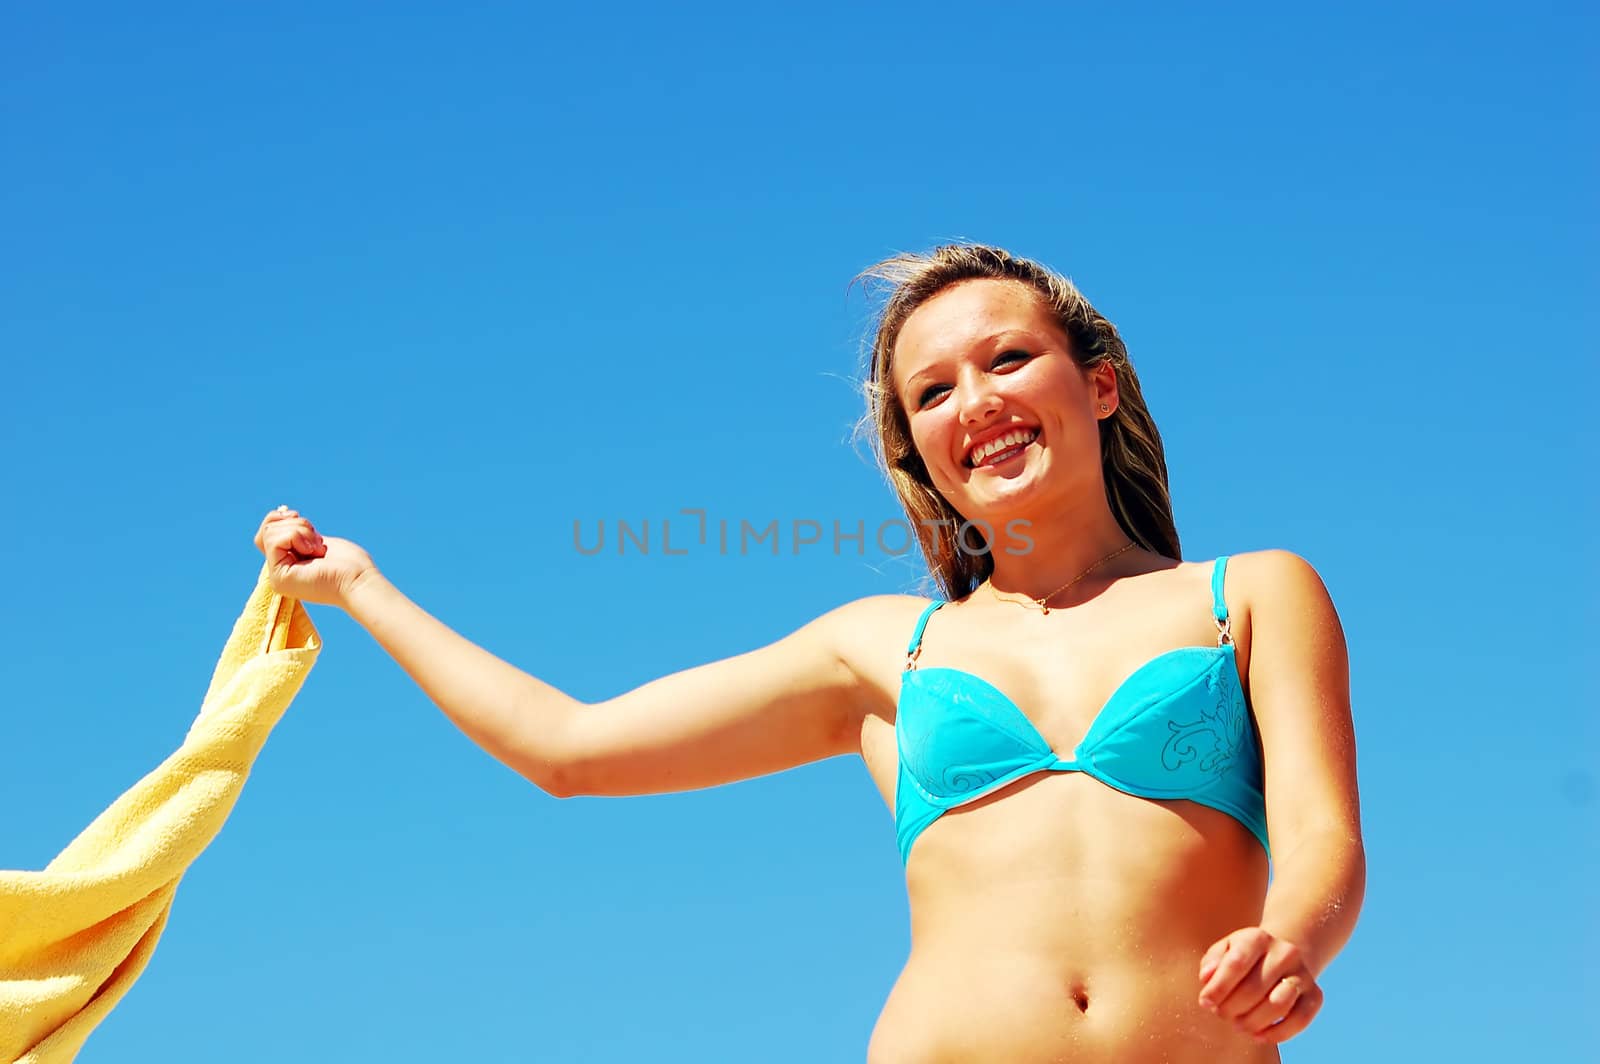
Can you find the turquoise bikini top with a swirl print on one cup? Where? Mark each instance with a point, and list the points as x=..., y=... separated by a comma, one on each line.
x=1177, y=729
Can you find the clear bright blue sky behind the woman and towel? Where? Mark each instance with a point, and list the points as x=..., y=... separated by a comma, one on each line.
x=450, y=279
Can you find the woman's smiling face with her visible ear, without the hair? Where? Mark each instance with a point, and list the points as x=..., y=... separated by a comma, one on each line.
x=999, y=412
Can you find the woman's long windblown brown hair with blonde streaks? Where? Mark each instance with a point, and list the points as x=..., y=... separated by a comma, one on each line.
x=1132, y=457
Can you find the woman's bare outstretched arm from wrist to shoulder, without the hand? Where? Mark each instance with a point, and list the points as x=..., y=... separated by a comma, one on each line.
x=785, y=705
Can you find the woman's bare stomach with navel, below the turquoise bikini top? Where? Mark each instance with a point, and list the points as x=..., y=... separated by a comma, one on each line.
x=1062, y=921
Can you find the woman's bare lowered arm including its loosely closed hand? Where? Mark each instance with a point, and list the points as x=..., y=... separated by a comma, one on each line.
x=1265, y=978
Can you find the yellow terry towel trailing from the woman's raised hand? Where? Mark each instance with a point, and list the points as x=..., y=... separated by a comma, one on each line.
x=76, y=937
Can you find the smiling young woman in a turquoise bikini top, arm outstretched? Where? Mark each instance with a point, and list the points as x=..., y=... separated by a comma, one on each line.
x=1089, y=745
